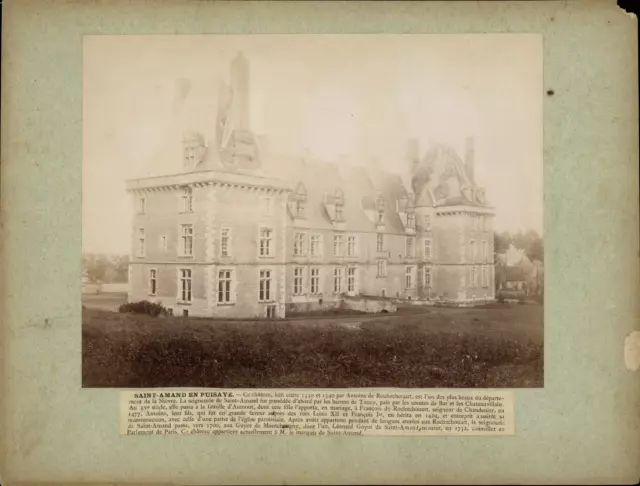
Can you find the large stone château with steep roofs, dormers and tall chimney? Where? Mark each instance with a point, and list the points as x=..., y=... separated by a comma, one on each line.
x=272, y=235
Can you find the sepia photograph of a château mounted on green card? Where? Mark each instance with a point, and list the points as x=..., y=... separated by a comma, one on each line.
x=313, y=211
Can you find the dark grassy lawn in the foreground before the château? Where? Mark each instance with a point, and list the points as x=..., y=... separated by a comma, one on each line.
x=444, y=348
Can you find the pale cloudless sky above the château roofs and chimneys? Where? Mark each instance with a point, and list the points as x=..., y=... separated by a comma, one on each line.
x=325, y=95
